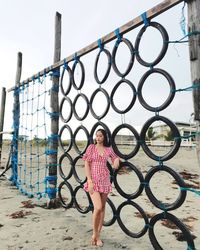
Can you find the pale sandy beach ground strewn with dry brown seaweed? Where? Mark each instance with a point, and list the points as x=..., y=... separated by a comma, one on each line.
x=26, y=224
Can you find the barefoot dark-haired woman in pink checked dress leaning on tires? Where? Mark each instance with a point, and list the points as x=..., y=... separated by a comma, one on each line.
x=98, y=179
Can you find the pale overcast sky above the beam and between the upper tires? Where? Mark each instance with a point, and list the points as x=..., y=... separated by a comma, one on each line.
x=28, y=27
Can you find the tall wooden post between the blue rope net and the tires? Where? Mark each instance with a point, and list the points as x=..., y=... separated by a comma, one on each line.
x=52, y=179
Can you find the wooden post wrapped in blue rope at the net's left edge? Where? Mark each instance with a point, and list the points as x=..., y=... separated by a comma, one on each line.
x=16, y=116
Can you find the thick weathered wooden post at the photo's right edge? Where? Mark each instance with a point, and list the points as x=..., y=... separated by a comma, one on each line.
x=194, y=49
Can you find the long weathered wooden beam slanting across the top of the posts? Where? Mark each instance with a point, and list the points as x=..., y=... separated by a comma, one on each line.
x=153, y=12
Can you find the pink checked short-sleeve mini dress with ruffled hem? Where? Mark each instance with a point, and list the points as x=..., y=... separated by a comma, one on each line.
x=98, y=166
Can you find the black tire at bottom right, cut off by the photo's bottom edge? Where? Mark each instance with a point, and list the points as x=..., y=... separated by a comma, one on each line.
x=177, y=222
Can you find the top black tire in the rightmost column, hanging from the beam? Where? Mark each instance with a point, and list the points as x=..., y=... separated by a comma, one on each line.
x=163, y=51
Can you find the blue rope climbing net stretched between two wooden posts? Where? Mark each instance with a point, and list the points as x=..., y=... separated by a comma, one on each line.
x=32, y=121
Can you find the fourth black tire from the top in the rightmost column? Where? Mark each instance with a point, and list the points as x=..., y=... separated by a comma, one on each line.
x=157, y=203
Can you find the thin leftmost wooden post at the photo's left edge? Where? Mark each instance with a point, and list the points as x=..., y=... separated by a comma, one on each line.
x=2, y=112
